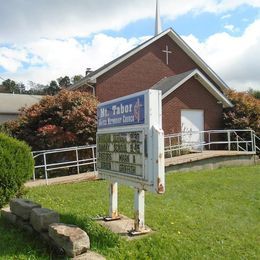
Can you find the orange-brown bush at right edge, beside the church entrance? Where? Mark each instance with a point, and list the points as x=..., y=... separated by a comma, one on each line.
x=245, y=114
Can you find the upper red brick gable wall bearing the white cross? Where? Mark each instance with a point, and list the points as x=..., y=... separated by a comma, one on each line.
x=143, y=70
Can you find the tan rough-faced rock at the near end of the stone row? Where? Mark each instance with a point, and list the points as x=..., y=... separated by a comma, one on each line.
x=72, y=239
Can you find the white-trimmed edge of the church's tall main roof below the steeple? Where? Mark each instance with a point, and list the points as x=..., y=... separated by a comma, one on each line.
x=91, y=77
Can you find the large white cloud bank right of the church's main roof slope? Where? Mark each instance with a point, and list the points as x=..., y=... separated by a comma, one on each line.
x=235, y=59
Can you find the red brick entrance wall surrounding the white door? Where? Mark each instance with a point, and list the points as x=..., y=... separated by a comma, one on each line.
x=191, y=95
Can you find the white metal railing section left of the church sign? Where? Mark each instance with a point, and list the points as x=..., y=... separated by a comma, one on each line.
x=64, y=158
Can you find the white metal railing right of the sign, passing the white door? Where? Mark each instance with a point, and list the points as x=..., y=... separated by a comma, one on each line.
x=231, y=140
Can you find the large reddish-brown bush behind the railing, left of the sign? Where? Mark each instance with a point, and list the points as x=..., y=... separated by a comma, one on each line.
x=63, y=120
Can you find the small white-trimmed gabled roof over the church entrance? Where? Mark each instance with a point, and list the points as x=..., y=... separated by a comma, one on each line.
x=170, y=84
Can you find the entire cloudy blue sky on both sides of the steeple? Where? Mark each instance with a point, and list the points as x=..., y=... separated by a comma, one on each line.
x=49, y=39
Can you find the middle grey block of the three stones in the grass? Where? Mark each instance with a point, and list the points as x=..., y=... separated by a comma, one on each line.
x=41, y=218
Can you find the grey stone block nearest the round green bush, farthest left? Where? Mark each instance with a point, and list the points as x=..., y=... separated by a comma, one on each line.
x=23, y=207
